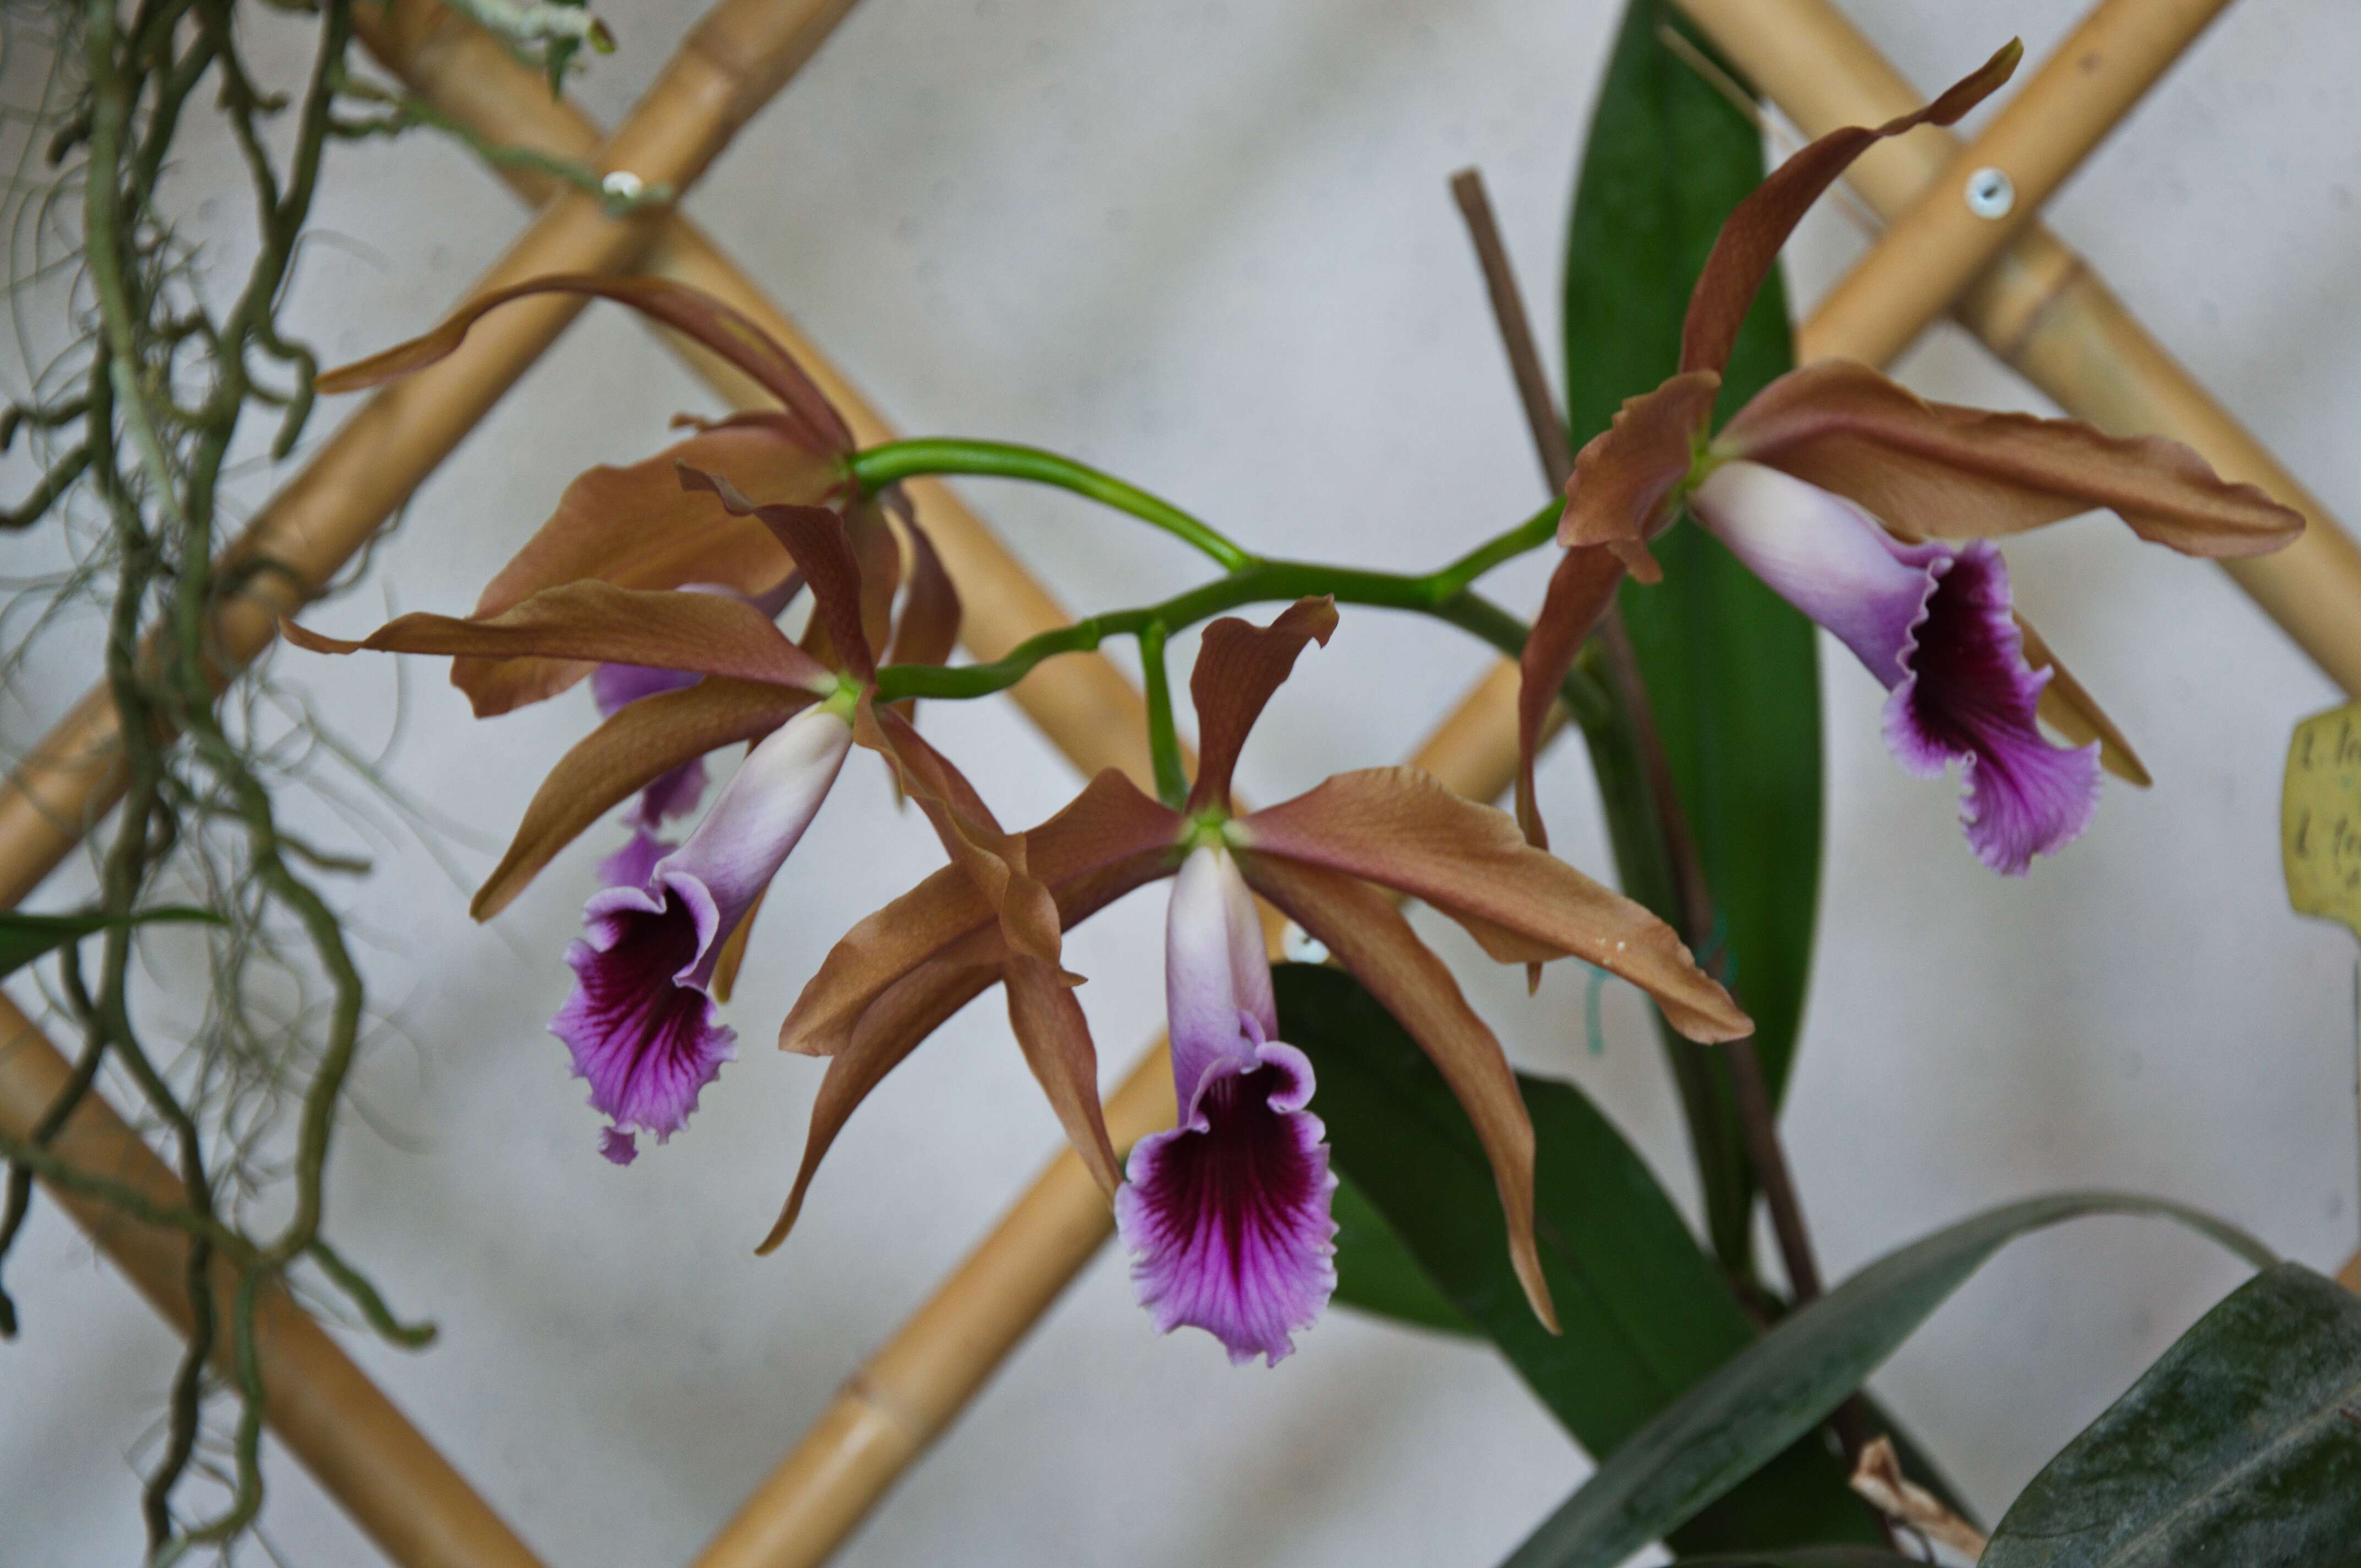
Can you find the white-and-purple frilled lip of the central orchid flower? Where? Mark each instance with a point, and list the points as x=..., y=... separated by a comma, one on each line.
x=1229, y=1215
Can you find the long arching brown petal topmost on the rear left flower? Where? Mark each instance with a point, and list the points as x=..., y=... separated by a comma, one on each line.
x=686, y=311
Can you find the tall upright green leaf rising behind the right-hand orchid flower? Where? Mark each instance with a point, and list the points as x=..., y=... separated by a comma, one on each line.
x=1732, y=669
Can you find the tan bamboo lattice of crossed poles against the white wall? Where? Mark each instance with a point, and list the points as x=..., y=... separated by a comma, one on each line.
x=2013, y=285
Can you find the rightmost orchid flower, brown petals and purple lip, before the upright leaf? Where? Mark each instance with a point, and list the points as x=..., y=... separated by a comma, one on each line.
x=1838, y=488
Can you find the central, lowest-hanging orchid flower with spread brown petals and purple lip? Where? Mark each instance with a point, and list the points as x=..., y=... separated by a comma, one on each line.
x=1229, y=1213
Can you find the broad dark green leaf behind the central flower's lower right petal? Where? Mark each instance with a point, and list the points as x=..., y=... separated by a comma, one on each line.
x=1644, y=1312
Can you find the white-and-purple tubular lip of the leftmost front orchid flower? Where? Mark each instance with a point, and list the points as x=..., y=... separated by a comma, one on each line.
x=641, y=1024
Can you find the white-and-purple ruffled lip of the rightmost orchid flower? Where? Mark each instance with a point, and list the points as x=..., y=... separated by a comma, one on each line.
x=1935, y=625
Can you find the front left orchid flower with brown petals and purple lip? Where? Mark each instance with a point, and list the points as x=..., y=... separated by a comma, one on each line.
x=641, y=1024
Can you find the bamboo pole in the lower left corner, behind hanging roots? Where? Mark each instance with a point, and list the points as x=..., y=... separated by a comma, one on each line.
x=348, y=1435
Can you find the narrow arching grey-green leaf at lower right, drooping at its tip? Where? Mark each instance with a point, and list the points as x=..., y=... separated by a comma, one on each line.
x=1786, y=1383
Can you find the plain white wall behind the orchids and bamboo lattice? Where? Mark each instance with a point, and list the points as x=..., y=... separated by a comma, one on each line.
x=1210, y=249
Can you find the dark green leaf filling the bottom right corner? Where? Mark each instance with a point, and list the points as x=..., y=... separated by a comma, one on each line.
x=2239, y=1446
